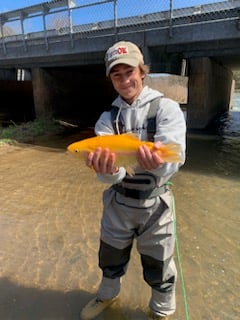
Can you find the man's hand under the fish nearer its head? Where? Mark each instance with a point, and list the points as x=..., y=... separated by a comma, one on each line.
x=102, y=161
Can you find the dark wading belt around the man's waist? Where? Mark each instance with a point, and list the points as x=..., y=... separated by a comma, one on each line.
x=140, y=194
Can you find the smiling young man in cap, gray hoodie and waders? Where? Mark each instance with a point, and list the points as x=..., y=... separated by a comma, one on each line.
x=139, y=206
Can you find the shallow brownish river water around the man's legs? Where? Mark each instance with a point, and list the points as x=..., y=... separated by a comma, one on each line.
x=49, y=232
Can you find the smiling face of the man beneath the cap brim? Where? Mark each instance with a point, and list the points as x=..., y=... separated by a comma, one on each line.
x=127, y=81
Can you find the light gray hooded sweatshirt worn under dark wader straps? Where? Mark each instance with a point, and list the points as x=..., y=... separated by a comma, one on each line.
x=170, y=128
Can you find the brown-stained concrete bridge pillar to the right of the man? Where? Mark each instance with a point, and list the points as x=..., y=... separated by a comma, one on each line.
x=209, y=91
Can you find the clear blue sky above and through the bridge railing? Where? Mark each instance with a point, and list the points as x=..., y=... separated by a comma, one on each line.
x=90, y=14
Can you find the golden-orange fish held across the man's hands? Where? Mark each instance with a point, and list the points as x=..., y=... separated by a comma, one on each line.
x=125, y=146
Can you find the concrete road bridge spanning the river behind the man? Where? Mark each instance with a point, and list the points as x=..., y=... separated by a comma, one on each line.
x=64, y=63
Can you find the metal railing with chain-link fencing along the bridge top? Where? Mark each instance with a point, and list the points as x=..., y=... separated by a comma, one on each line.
x=106, y=17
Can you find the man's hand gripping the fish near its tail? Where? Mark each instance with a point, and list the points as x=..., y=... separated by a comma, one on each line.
x=149, y=159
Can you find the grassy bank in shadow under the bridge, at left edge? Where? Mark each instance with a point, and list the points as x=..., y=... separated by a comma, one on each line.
x=26, y=132
